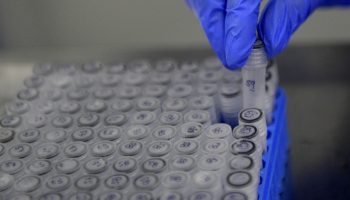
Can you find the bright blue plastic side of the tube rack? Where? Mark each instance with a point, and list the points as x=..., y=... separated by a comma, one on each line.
x=275, y=160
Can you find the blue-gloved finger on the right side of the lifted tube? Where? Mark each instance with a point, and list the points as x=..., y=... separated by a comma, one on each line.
x=280, y=20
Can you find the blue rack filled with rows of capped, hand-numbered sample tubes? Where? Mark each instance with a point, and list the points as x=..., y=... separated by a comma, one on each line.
x=142, y=130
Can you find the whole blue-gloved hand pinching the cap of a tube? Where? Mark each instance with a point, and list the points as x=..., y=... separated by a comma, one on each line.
x=231, y=25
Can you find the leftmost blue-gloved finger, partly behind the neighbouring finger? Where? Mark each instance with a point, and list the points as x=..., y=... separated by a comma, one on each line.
x=211, y=14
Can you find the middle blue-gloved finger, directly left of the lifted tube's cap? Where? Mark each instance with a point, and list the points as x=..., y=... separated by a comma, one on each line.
x=240, y=30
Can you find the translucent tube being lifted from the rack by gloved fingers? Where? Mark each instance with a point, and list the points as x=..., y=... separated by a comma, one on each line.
x=254, y=74
